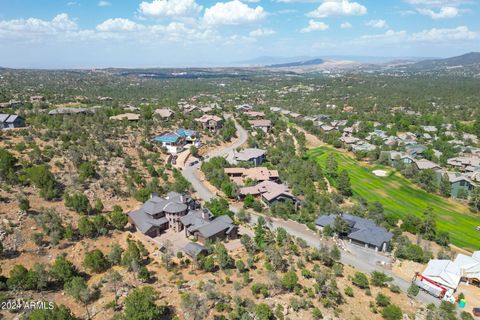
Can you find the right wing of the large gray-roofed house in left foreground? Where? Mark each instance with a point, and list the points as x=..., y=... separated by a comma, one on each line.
x=202, y=225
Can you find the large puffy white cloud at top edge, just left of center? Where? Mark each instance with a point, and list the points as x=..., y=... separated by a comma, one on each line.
x=233, y=13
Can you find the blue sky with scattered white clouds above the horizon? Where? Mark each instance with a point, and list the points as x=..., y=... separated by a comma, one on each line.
x=186, y=33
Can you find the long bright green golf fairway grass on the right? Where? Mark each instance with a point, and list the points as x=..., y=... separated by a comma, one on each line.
x=400, y=197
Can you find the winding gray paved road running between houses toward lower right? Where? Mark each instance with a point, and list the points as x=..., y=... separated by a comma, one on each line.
x=362, y=259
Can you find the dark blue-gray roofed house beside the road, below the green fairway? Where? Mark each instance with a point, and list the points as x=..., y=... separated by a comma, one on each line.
x=362, y=231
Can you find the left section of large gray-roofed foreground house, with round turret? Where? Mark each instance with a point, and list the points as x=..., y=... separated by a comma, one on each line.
x=159, y=214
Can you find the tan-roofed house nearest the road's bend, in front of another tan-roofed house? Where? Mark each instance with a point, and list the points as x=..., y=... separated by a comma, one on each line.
x=270, y=192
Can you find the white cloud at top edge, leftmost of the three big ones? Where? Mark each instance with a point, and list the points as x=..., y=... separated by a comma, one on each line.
x=170, y=8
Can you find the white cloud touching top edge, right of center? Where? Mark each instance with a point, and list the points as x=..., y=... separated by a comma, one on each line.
x=338, y=8
